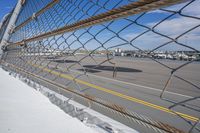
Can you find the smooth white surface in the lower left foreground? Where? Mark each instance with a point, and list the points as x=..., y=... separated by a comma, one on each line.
x=25, y=110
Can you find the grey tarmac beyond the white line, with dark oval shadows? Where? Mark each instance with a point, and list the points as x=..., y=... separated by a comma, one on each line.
x=146, y=73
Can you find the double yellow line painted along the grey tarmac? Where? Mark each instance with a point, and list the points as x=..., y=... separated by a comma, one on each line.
x=164, y=109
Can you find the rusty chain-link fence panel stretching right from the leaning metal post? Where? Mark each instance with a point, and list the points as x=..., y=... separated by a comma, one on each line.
x=100, y=50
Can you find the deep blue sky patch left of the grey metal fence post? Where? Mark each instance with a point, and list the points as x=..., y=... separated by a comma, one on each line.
x=6, y=6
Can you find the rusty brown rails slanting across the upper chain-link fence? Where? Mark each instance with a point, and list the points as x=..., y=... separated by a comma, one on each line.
x=121, y=12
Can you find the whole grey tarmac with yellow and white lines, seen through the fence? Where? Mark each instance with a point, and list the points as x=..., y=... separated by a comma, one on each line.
x=136, y=87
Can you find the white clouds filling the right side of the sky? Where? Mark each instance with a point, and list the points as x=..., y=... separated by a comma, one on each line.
x=173, y=27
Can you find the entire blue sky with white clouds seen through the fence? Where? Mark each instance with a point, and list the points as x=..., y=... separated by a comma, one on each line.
x=172, y=27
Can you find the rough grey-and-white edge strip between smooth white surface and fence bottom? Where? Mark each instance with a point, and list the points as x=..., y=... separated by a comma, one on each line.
x=89, y=117
